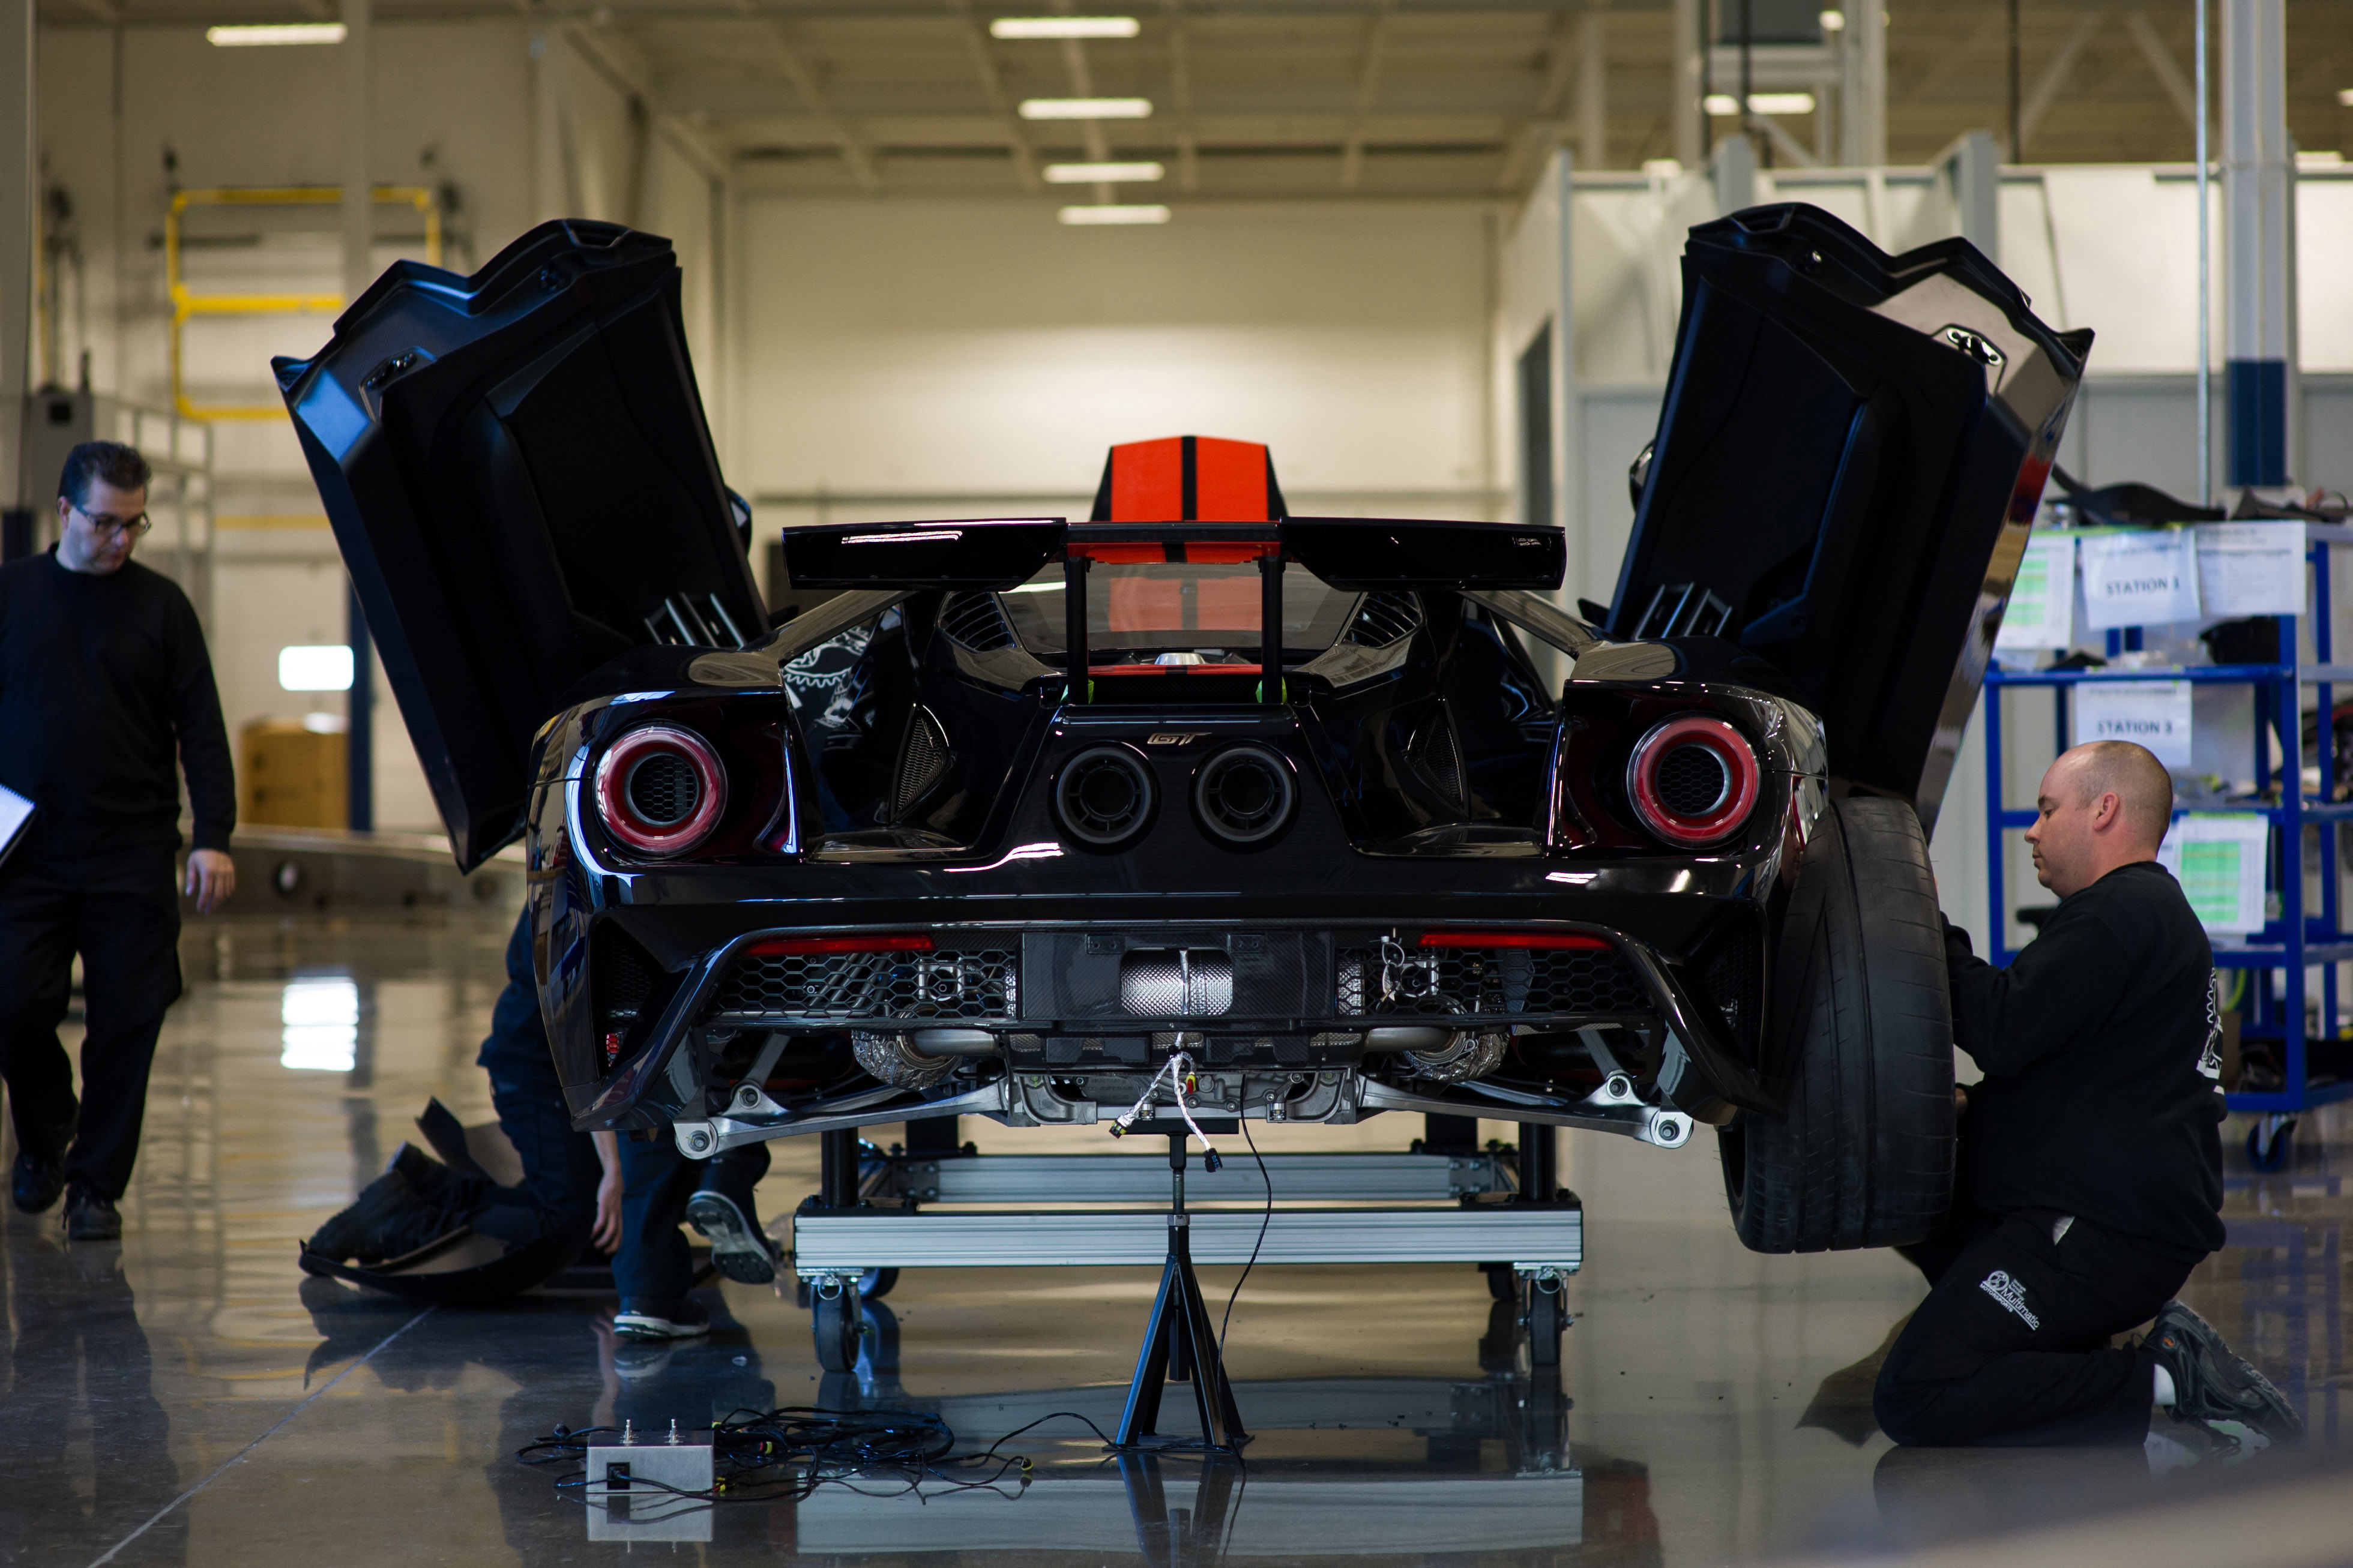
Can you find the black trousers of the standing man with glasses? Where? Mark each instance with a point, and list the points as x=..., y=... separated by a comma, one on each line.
x=121, y=913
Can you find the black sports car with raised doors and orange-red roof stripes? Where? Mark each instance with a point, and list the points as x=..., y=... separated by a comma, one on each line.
x=1032, y=805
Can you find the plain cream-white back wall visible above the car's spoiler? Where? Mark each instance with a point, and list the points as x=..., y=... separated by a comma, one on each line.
x=926, y=359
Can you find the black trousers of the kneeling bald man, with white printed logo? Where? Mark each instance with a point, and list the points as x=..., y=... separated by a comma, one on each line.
x=2011, y=1346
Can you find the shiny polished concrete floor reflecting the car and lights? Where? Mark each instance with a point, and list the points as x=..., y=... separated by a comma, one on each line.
x=189, y=1398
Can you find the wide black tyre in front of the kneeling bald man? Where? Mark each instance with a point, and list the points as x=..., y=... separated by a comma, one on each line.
x=1862, y=1033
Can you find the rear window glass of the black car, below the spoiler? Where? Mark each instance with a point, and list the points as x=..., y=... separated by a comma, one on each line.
x=1178, y=608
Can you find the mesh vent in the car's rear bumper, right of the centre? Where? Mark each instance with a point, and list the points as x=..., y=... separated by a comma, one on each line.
x=1491, y=981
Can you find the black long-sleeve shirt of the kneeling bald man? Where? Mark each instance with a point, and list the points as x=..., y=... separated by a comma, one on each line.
x=2102, y=1059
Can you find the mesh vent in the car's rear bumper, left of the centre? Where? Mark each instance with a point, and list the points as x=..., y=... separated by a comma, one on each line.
x=869, y=986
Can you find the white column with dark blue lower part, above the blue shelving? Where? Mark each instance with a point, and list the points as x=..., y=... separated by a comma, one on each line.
x=2260, y=272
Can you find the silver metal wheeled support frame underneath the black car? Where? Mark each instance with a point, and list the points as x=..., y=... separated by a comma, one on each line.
x=942, y=1205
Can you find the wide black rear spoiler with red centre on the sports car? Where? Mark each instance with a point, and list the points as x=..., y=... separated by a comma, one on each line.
x=999, y=554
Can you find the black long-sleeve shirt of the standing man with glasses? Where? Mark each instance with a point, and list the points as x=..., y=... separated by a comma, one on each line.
x=105, y=688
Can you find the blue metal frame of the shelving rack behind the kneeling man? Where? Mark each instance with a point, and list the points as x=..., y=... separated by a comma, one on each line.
x=2298, y=937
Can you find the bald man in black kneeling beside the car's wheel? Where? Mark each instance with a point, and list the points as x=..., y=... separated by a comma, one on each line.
x=2091, y=1162
